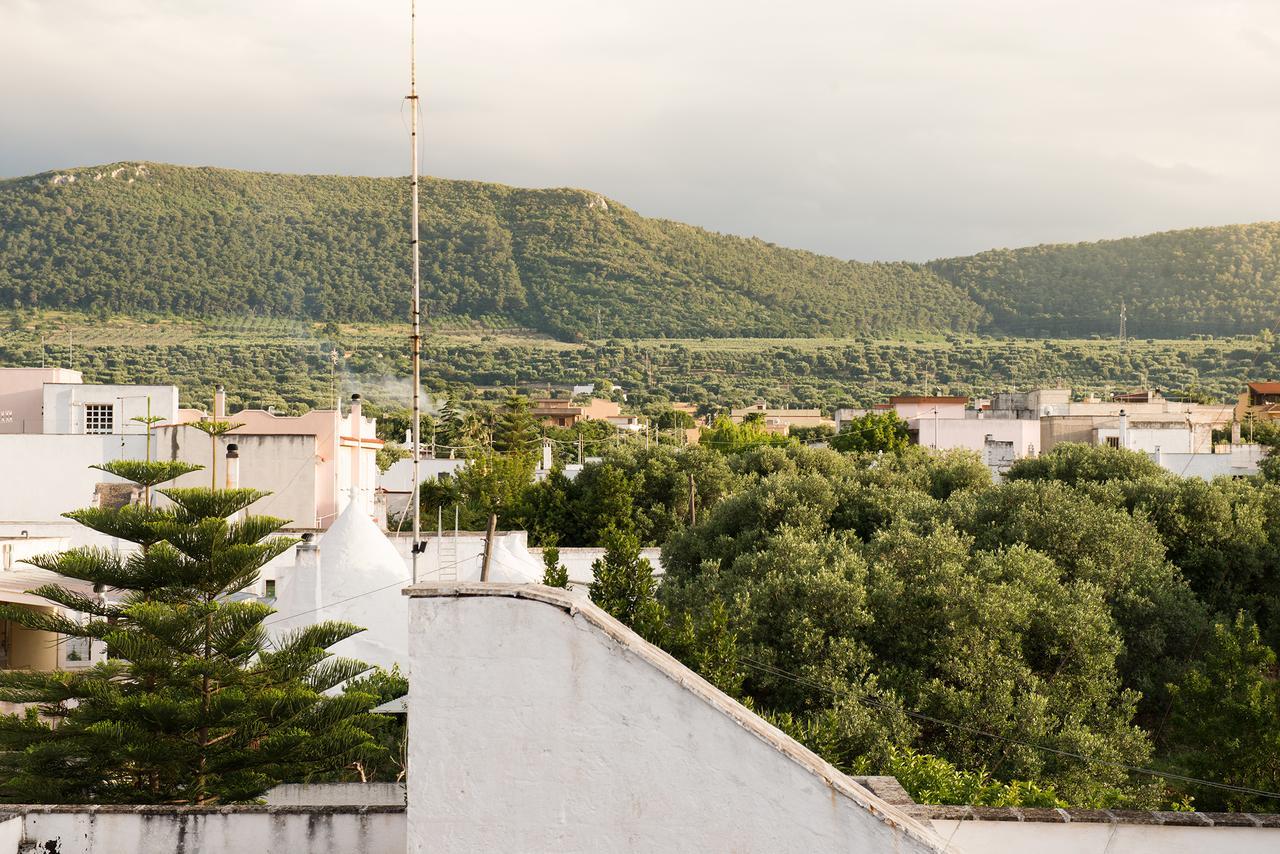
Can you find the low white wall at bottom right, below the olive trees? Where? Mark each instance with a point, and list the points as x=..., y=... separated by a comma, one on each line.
x=1113, y=838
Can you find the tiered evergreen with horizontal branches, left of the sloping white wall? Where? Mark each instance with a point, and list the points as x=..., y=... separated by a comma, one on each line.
x=195, y=705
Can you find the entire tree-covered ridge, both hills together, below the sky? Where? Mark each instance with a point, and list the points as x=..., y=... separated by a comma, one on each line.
x=143, y=238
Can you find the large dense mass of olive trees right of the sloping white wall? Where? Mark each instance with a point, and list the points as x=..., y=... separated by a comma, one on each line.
x=1023, y=619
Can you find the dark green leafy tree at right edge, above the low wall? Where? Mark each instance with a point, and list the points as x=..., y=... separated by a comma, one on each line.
x=1226, y=721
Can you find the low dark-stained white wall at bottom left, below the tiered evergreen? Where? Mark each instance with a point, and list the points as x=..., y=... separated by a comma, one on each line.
x=232, y=830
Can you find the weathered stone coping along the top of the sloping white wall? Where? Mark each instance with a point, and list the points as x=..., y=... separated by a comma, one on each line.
x=687, y=679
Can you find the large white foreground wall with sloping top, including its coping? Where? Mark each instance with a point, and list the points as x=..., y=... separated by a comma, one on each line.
x=541, y=724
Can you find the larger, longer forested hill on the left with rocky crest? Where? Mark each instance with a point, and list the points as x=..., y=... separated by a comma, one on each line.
x=175, y=240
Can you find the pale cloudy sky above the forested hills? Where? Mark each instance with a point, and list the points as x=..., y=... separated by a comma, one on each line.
x=874, y=131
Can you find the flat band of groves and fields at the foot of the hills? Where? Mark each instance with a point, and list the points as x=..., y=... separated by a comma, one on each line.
x=289, y=364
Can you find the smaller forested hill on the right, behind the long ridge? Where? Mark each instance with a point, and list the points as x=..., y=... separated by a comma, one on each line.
x=1217, y=281
